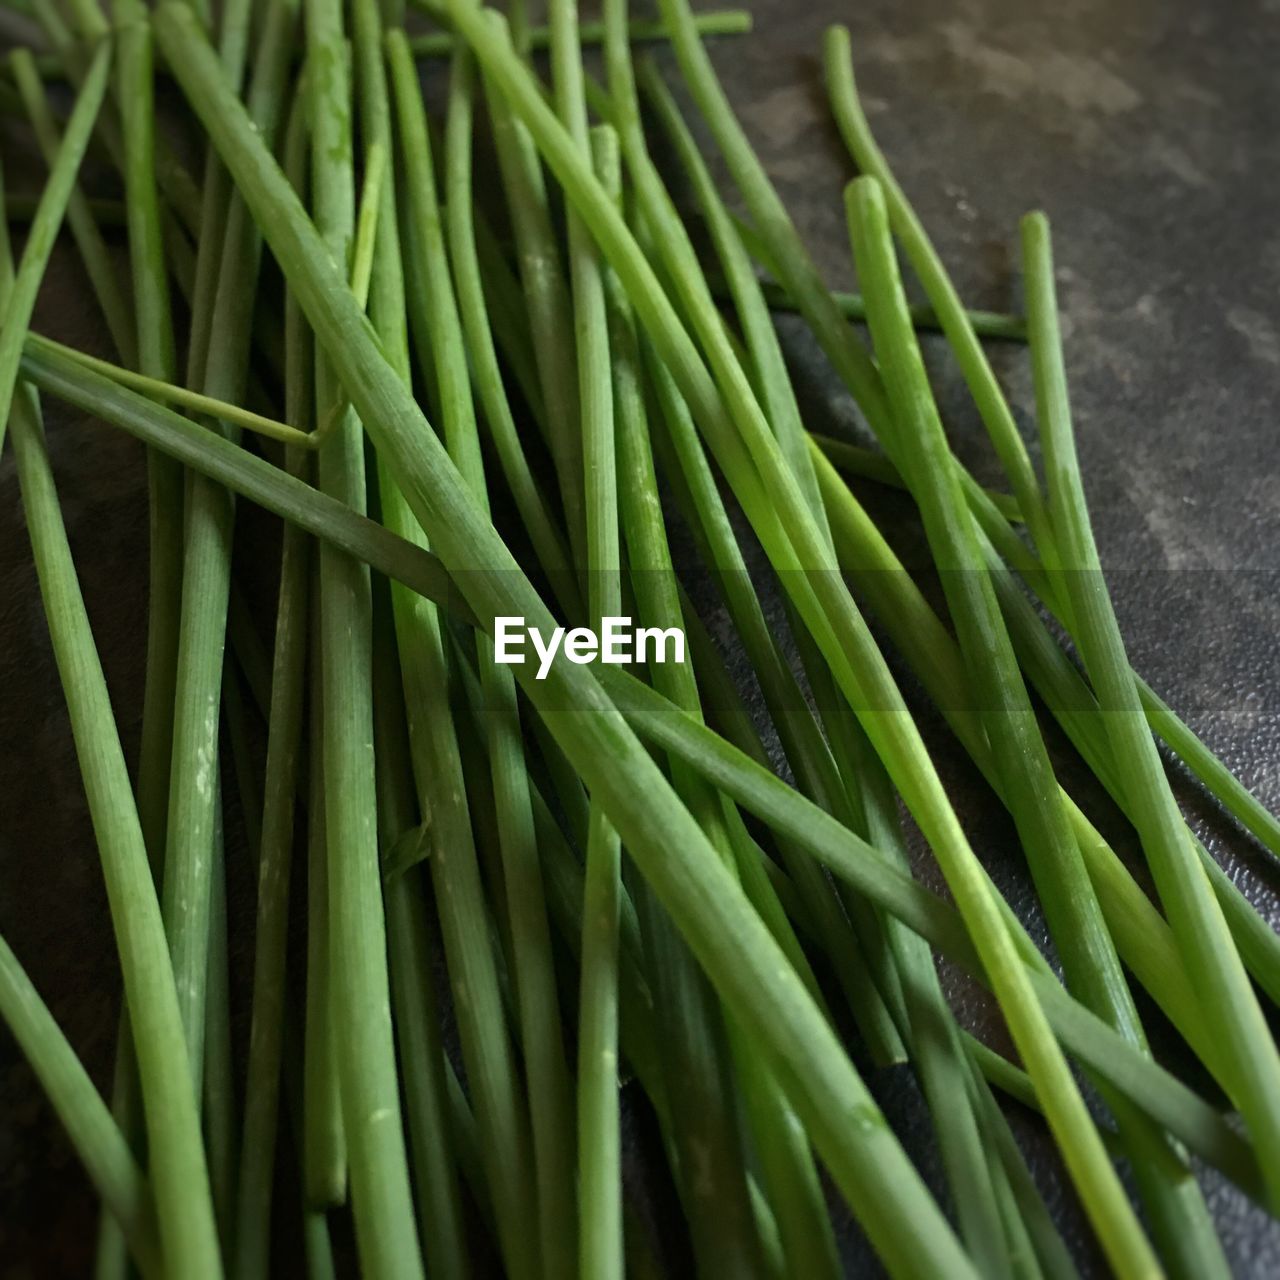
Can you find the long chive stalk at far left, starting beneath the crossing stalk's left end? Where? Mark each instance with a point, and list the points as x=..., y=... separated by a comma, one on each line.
x=177, y=1163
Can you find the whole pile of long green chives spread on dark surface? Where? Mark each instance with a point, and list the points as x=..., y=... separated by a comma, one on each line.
x=705, y=877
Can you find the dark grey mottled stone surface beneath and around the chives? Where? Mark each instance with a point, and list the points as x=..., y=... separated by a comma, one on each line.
x=1148, y=132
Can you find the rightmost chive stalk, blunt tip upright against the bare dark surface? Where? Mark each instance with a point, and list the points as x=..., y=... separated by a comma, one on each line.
x=1228, y=1000
